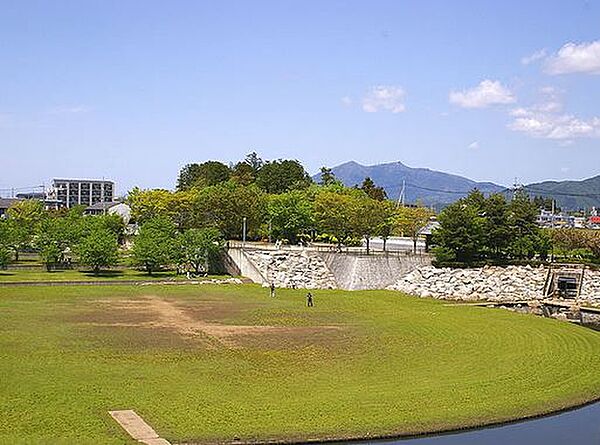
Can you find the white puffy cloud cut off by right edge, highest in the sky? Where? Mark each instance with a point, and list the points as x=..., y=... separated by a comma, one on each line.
x=575, y=58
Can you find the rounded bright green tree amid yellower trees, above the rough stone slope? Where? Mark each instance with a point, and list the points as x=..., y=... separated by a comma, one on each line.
x=290, y=215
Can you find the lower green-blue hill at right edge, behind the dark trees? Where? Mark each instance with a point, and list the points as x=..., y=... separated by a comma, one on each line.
x=570, y=195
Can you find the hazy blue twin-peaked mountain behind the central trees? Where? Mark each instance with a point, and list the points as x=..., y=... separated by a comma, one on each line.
x=432, y=188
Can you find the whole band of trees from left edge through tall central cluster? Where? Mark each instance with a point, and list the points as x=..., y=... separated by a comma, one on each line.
x=187, y=228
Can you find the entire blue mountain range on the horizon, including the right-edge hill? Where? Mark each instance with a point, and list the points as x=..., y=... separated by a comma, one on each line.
x=438, y=189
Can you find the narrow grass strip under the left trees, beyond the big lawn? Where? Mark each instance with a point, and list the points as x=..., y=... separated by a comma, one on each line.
x=86, y=275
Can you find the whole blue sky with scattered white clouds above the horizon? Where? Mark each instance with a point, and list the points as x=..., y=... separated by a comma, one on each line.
x=133, y=90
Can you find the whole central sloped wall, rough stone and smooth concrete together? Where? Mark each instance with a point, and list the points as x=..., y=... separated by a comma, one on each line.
x=311, y=269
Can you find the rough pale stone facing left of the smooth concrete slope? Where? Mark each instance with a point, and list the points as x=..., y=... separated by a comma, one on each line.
x=288, y=268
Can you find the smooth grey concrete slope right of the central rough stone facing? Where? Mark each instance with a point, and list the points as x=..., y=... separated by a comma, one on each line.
x=375, y=271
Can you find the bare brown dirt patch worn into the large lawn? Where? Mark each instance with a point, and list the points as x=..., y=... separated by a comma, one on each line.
x=190, y=321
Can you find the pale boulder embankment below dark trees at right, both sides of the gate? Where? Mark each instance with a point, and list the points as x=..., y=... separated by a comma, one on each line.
x=496, y=284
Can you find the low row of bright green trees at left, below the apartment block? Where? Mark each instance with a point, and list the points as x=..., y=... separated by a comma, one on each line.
x=66, y=236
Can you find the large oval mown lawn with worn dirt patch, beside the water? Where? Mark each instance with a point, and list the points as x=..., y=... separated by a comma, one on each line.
x=210, y=363
